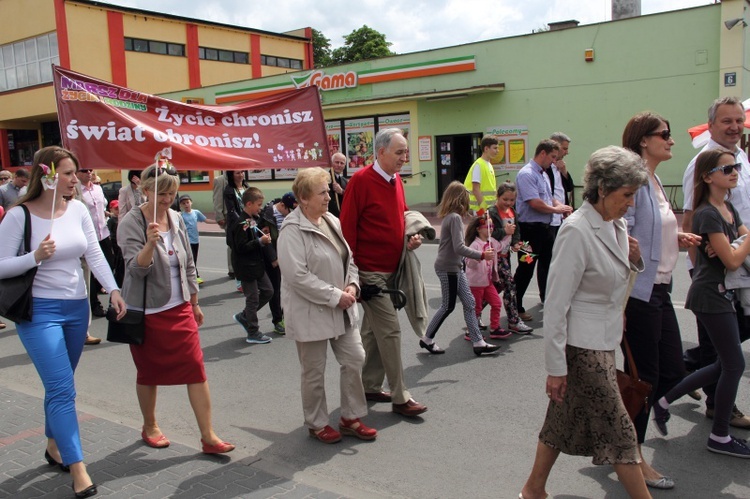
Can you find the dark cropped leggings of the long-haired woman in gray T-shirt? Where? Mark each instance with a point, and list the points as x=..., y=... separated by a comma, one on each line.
x=726, y=372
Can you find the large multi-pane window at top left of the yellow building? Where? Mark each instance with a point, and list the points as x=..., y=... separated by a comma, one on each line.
x=26, y=63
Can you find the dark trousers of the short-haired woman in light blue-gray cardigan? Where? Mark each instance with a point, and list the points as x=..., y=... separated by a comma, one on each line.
x=654, y=337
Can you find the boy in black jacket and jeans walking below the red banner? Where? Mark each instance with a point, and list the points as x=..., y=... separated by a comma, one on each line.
x=247, y=241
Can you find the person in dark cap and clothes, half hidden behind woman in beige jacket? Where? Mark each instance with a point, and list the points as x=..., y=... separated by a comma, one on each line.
x=270, y=222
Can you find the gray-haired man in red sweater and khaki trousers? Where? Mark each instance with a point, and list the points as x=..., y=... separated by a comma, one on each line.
x=372, y=220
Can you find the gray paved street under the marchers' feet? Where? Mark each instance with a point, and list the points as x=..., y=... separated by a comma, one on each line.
x=476, y=440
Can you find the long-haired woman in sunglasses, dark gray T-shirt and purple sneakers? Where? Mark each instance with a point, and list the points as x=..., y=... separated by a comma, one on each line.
x=719, y=223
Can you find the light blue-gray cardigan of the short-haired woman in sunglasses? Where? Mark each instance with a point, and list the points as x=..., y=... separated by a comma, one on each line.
x=644, y=224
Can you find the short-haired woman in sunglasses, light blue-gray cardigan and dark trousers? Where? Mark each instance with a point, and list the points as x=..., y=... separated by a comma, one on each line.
x=651, y=328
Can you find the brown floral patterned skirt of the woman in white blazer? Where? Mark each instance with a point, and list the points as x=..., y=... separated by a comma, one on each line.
x=591, y=420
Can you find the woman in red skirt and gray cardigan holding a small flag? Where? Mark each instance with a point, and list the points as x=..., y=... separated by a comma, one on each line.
x=157, y=250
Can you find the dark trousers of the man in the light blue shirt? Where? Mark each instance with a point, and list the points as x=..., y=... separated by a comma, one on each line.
x=541, y=238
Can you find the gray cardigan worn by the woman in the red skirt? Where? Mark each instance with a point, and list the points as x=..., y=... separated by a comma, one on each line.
x=131, y=238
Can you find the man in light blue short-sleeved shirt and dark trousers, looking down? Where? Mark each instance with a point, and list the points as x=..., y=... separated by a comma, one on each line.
x=535, y=206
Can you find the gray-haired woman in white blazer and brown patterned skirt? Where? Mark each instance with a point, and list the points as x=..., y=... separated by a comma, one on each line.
x=592, y=260
